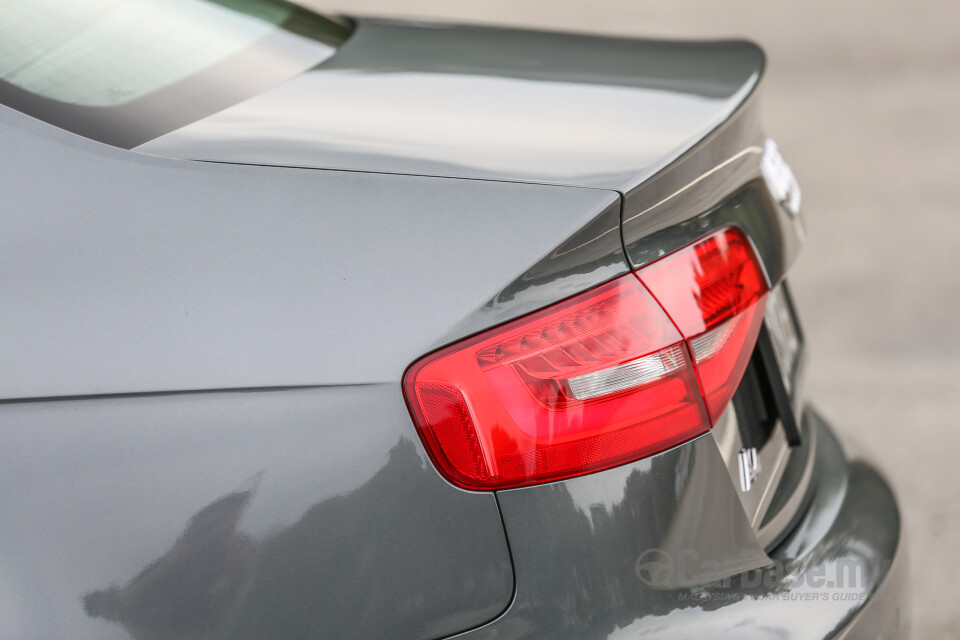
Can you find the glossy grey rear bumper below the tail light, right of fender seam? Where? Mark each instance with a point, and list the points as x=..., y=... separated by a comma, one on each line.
x=840, y=573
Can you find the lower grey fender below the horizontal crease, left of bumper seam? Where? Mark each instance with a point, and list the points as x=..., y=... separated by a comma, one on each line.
x=279, y=514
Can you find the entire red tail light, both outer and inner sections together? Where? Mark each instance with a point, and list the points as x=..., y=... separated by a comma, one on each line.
x=600, y=379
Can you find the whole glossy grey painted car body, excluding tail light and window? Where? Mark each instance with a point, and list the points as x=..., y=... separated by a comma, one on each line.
x=202, y=428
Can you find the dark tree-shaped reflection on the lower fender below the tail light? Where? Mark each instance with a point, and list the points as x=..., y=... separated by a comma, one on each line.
x=324, y=575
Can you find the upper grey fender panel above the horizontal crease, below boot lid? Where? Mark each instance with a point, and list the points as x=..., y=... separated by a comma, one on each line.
x=140, y=274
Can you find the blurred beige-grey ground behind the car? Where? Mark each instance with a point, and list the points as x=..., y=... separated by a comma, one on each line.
x=864, y=101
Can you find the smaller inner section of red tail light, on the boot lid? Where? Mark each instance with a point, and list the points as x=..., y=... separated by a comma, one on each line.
x=714, y=290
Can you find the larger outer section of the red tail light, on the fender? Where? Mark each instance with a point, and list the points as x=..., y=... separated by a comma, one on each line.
x=600, y=379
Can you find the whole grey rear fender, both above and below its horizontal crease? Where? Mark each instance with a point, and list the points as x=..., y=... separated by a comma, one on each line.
x=141, y=275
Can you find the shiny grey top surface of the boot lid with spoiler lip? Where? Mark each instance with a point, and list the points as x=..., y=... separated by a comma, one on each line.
x=480, y=103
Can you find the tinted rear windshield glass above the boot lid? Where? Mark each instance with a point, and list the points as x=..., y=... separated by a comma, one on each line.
x=126, y=71
